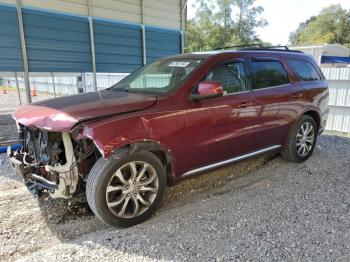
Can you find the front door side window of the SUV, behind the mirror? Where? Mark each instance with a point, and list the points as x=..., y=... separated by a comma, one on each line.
x=231, y=76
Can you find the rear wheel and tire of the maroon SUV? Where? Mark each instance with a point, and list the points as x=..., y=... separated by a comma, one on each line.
x=301, y=141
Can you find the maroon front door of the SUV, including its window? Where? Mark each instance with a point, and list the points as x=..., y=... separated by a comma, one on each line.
x=221, y=128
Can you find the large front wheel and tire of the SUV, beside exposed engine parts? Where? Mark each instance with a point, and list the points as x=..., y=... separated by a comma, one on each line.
x=127, y=190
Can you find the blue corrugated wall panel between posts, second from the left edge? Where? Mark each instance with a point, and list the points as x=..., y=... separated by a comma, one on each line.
x=56, y=41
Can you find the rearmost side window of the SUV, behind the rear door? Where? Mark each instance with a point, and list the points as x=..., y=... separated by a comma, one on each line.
x=304, y=70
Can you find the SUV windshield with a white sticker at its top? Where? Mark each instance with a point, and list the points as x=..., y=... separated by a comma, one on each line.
x=159, y=77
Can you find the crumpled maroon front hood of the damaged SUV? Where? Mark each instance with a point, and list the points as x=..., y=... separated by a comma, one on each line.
x=61, y=114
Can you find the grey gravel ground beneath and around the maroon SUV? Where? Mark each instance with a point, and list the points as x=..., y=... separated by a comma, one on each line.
x=262, y=209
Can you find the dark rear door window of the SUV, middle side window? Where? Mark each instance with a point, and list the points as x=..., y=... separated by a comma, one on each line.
x=268, y=74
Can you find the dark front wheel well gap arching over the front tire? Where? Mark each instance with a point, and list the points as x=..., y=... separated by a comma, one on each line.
x=150, y=146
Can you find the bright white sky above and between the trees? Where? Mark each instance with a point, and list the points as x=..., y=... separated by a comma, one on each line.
x=284, y=16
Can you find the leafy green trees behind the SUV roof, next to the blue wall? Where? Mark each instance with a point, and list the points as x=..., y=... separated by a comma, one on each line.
x=219, y=23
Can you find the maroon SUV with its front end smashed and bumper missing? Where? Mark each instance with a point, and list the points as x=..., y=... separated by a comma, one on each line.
x=170, y=120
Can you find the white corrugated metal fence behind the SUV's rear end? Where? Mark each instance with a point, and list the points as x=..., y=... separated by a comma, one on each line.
x=339, y=98
